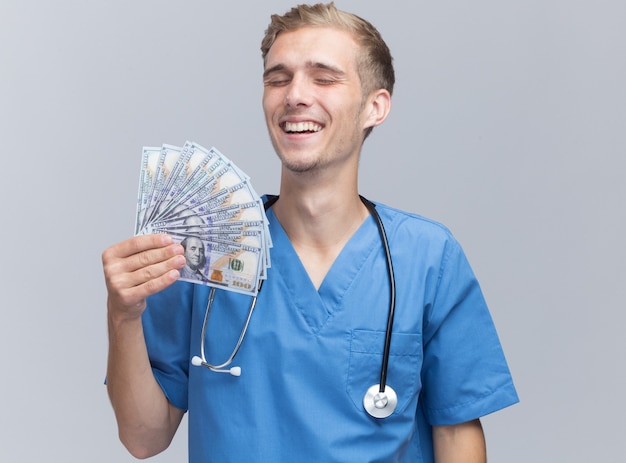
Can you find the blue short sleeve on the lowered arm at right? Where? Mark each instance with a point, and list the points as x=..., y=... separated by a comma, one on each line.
x=465, y=374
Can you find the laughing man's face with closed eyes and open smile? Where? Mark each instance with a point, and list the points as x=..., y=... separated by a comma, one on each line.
x=312, y=98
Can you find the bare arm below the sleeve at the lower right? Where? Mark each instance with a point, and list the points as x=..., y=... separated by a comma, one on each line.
x=461, y=443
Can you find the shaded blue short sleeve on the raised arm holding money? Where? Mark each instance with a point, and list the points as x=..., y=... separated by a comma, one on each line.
x=166, y=323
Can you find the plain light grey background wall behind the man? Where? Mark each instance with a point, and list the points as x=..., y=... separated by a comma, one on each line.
x=509, y=125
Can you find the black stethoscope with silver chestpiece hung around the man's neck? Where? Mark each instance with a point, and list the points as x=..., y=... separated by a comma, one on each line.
x=380, y=400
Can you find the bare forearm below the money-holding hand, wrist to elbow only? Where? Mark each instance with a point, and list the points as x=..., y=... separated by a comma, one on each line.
x=146, y=420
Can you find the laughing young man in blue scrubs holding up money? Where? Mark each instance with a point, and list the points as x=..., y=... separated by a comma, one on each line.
x=315, y=342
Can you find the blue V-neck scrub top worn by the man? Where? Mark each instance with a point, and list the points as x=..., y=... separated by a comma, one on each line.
x=310, y=355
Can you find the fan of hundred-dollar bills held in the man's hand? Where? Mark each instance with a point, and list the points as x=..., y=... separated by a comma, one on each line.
x=207, y=204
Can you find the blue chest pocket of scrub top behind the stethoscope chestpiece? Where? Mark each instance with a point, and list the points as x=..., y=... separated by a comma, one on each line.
x=403, y=373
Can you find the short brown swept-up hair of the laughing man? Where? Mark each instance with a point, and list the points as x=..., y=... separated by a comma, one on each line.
x=375, y=65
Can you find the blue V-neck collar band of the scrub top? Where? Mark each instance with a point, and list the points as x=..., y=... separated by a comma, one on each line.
x=317, y=306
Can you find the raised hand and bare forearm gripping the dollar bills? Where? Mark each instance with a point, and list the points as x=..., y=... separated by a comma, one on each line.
x=133, y=270
